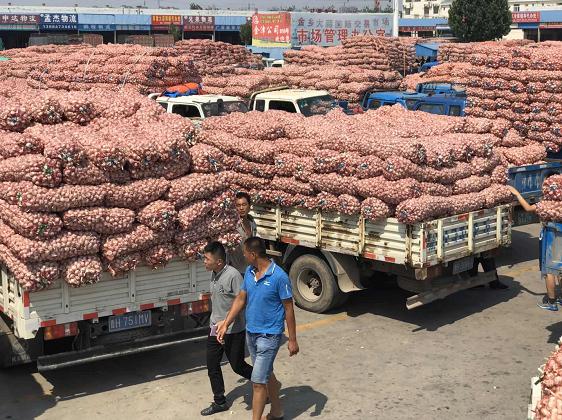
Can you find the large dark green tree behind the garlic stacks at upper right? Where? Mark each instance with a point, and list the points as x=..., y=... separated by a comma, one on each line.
x=479, y=20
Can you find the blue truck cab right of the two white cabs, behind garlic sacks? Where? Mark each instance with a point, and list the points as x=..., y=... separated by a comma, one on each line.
x=440, y=104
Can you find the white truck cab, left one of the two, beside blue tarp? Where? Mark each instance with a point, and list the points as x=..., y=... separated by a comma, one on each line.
x=199, y=107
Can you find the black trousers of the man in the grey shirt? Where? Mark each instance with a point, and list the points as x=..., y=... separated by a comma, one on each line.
x=234, y=347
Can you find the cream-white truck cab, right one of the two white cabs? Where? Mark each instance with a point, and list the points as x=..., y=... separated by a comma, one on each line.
x=296, y=101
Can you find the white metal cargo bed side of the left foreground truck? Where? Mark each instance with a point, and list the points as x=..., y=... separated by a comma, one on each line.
x=141, y=289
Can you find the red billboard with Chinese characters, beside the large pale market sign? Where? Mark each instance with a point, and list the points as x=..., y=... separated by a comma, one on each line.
x=271, y=29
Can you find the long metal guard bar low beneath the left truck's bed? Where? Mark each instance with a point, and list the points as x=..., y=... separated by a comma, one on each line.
x=93, y=354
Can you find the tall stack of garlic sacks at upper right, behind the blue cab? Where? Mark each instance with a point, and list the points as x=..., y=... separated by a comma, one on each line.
x=515, y=84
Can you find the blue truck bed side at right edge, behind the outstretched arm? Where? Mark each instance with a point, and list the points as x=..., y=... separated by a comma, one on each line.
x=528, y=179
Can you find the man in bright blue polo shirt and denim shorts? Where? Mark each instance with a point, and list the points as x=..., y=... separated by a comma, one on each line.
x=267, y=295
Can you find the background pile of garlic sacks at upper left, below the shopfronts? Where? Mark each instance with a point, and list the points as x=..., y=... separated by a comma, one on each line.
x=79, y=67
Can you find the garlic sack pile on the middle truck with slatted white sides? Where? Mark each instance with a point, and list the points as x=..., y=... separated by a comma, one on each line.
x=389, y=162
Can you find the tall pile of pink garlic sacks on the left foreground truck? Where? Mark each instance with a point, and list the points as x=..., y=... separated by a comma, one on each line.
x=101, y=180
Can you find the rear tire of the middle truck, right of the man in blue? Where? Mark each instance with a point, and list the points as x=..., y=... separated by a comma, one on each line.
x=315, y=288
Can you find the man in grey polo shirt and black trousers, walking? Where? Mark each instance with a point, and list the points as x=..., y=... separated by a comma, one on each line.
x=225, y=286
